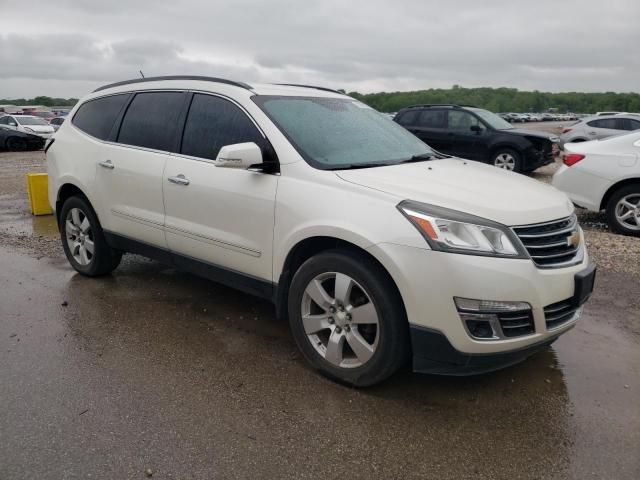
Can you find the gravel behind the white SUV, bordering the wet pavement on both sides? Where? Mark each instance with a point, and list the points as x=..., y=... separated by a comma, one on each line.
x=39, y=235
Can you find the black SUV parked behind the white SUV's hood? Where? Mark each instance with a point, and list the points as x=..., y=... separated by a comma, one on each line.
x=477, y=134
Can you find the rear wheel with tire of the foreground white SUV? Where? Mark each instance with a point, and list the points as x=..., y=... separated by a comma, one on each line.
x=80, y=228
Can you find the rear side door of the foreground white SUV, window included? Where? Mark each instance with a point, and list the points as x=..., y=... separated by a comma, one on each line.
x=129, y=170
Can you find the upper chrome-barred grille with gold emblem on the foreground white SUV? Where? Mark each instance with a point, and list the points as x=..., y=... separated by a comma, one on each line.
x=551, y=244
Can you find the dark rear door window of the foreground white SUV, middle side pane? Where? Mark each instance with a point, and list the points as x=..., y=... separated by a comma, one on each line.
x=151, y=119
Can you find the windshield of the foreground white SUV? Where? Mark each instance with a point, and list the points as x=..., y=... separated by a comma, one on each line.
x=338, y=133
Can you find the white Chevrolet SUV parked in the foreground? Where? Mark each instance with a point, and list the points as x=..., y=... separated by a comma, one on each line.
x=375, y=247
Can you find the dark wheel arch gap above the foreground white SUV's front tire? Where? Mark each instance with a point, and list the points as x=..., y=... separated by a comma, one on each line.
x=309, y=247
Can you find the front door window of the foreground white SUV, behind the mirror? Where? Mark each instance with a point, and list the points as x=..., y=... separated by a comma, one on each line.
x=214, y=122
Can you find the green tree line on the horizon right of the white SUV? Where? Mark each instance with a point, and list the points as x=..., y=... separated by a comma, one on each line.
x=505, y=100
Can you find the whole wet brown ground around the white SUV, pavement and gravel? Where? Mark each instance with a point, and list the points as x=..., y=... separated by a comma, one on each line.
x=153, y=368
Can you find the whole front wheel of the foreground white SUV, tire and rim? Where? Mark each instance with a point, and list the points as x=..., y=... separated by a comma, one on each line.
x=382, y=347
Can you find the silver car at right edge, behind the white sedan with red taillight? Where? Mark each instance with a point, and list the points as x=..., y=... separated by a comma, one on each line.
x=593, y=128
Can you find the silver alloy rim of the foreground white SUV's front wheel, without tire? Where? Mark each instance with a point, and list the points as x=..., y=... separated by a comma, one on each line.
x=340, y=320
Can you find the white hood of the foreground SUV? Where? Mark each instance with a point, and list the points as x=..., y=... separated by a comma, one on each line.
x=505, y=197
